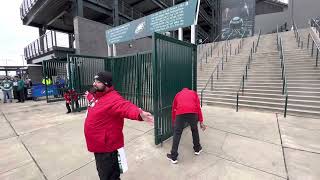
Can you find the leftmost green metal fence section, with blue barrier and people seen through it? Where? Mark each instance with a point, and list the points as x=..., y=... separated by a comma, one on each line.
x=55, y=79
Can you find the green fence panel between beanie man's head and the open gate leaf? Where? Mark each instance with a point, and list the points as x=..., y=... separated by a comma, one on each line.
x=133, y=78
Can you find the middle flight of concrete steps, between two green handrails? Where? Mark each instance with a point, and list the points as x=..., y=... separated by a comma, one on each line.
x=263, y=88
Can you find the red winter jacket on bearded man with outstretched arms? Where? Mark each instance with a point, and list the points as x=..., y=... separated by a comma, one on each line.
x=105, y=118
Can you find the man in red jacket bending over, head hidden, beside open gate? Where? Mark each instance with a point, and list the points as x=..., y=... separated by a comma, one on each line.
x=186, y=108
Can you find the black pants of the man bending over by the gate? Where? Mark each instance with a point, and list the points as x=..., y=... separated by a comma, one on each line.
x=192, y=120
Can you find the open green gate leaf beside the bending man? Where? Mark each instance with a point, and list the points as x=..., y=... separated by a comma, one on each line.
x=174, y=67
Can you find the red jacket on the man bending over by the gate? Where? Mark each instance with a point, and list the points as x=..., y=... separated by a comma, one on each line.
x=186, y=101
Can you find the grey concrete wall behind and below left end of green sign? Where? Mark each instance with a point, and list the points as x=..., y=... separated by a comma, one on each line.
x=91, y=40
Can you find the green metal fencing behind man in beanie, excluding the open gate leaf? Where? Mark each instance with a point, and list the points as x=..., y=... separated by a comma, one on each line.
x=132, y=77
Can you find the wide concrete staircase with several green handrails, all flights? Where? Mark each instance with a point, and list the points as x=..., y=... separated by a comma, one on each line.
x=263, y=88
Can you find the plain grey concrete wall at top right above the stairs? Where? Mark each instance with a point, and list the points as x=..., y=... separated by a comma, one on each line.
x=303, y=10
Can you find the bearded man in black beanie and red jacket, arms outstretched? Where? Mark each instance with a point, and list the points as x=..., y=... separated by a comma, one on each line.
x=104, y=124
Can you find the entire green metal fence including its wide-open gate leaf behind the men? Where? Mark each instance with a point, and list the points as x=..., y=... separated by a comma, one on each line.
x=150, y=80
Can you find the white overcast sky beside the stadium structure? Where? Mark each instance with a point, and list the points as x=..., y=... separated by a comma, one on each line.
x=13, y=35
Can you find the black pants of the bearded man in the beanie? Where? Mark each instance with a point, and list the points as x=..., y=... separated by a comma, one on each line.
x=108, y=165
